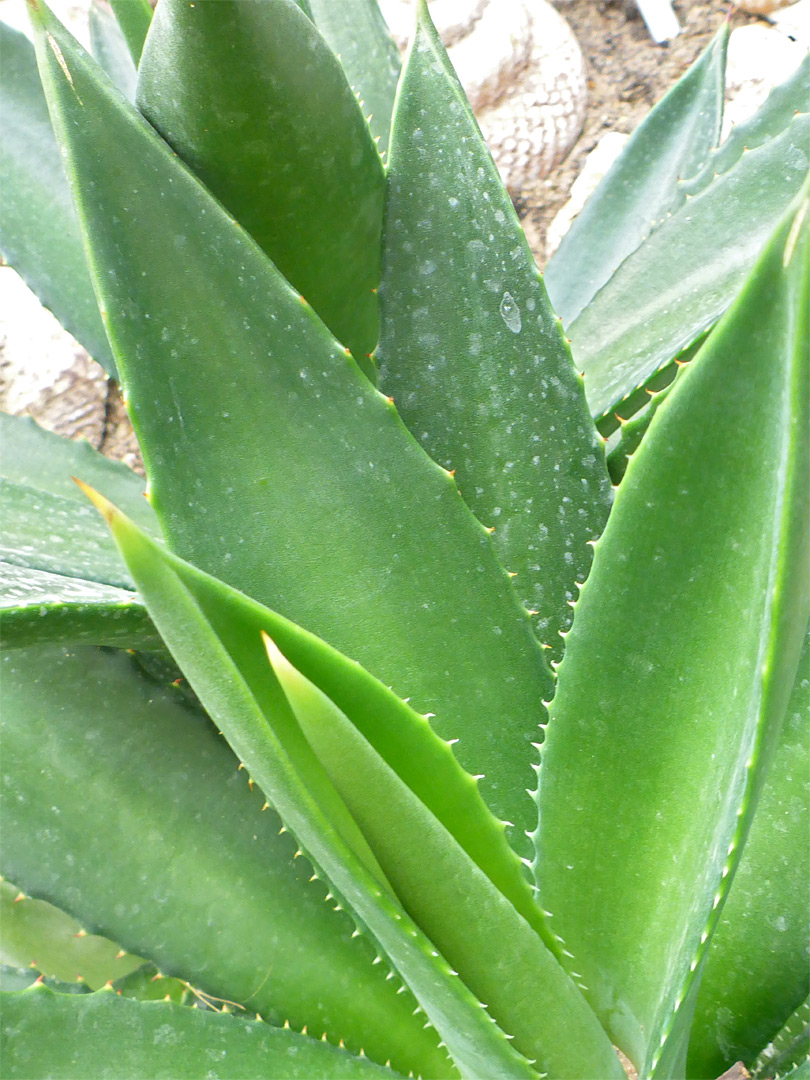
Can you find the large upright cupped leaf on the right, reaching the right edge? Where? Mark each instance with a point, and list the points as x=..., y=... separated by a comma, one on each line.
x=656, y=750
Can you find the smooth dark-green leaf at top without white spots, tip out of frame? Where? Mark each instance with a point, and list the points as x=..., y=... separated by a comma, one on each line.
x=240, y=90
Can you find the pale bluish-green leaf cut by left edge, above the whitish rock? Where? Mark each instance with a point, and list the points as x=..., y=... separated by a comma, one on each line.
x=39, y=235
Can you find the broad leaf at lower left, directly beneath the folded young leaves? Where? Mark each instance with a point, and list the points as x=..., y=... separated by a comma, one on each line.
x=129, y=790
